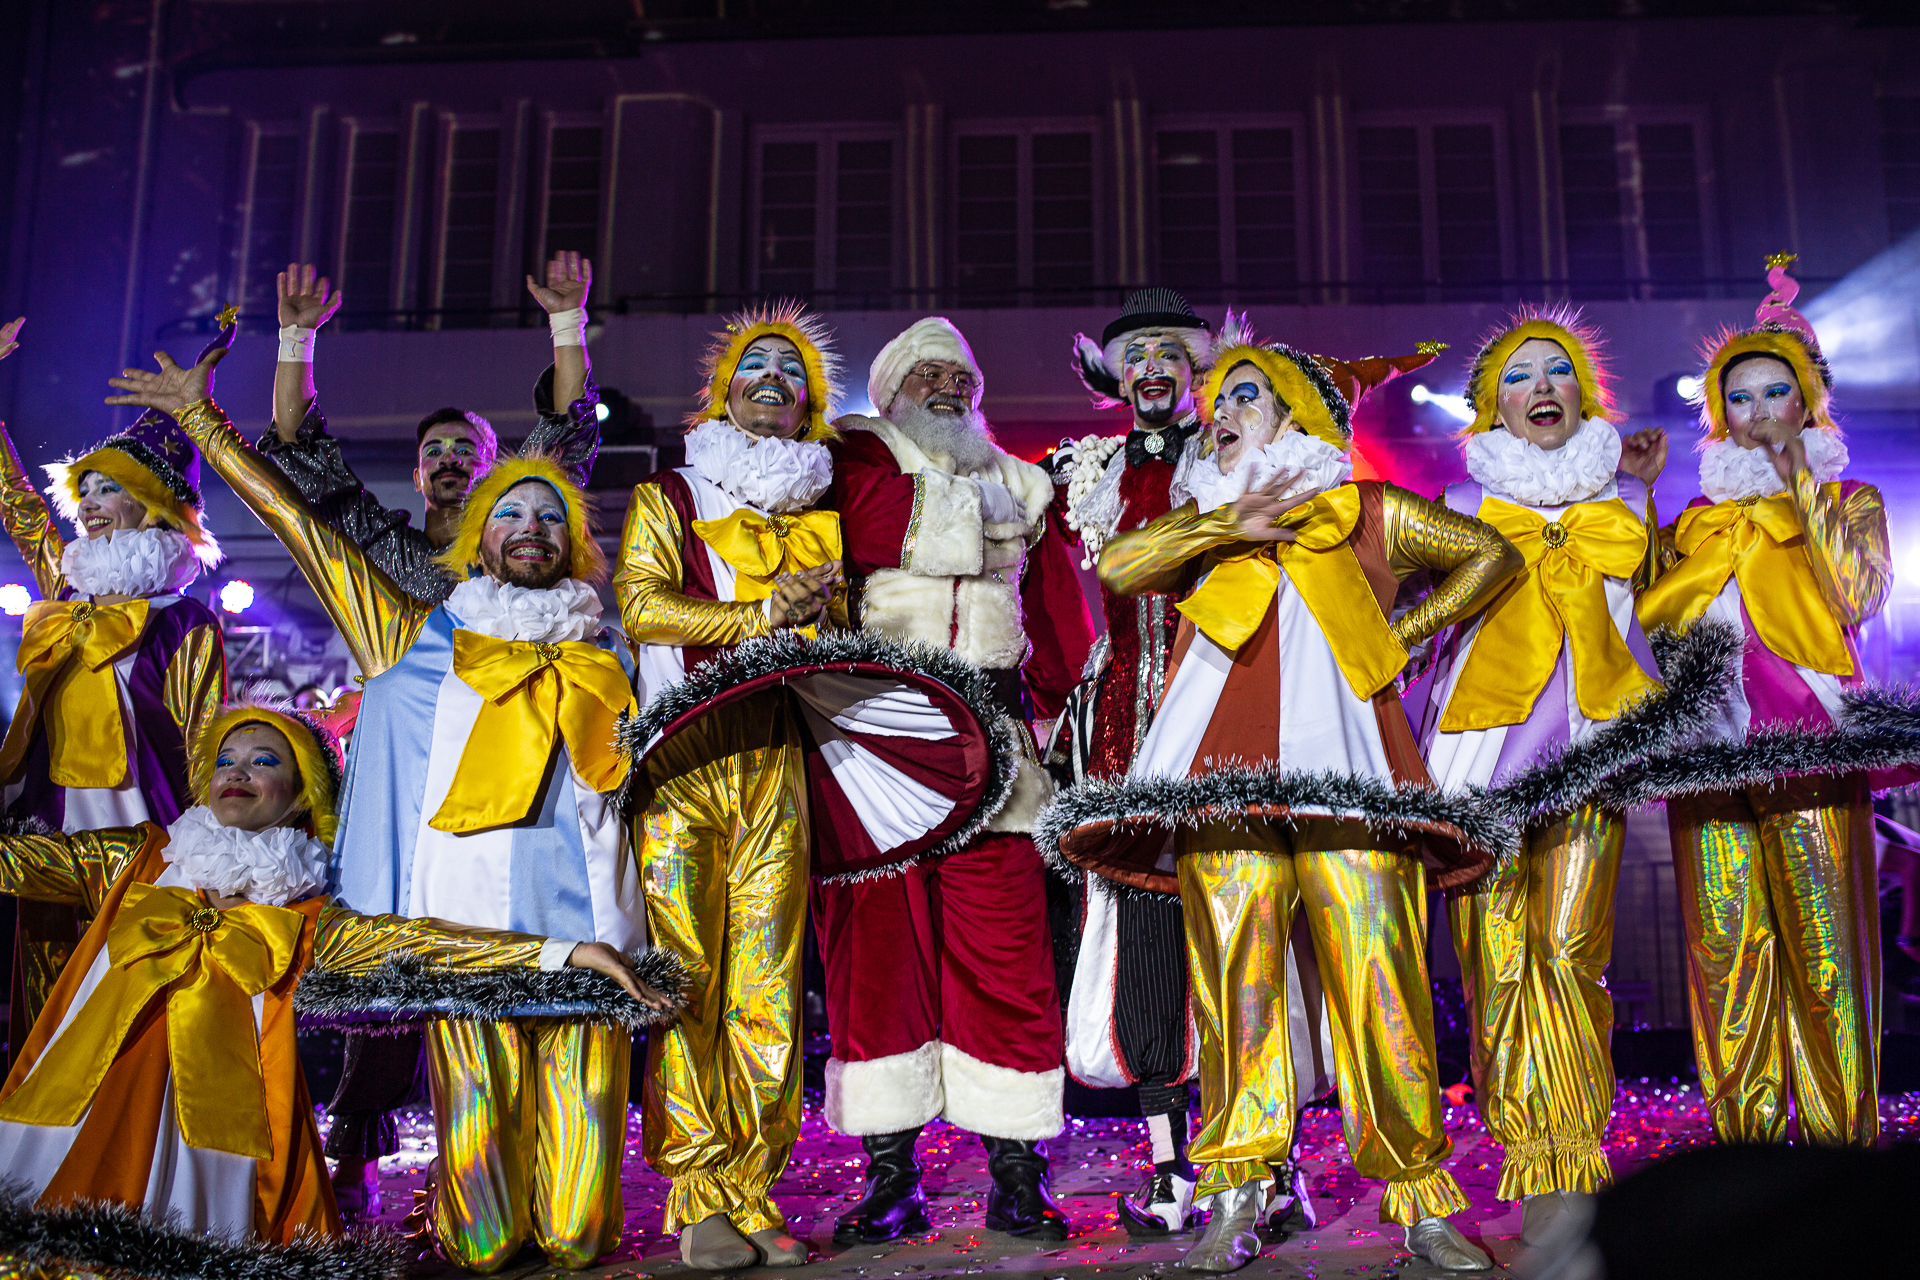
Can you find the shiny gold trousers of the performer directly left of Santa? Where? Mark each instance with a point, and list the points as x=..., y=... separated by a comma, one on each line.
x=725, y=855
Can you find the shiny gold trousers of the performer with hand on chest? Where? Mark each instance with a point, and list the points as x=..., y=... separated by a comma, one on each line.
x=1368, y=916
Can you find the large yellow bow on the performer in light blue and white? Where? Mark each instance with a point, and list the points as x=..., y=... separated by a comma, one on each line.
x=533, y=694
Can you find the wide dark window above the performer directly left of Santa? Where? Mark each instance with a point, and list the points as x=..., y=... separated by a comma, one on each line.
x=827, y=220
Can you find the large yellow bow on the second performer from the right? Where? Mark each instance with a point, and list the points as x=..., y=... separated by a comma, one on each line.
x=1560, y=598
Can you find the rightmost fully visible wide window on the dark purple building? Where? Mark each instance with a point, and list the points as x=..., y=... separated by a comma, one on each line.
x=1633, y=210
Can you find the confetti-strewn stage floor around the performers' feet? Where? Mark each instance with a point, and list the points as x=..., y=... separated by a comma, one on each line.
x=1093, y=1160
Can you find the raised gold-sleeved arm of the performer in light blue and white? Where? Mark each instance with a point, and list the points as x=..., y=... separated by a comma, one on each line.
x=377, y=619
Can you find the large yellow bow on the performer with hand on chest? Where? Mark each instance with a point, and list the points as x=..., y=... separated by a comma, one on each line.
x=1236, y=596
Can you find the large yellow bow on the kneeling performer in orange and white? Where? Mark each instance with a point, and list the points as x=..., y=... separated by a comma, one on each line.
x=208, y=966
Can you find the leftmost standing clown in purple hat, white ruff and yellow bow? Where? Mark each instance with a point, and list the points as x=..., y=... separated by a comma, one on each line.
x=120, y=665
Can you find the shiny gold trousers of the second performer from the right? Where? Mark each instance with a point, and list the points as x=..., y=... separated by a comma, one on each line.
x=1533, y=943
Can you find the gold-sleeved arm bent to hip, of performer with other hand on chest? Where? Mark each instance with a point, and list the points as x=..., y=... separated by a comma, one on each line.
x=1472, y=556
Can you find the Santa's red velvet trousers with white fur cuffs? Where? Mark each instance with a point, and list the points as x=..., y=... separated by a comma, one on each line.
x=942, y=997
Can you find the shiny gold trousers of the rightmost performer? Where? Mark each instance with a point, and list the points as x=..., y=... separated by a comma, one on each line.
x=1783, y=928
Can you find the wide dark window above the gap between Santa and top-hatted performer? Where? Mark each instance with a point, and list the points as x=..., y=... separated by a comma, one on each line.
x=1024, y=216
